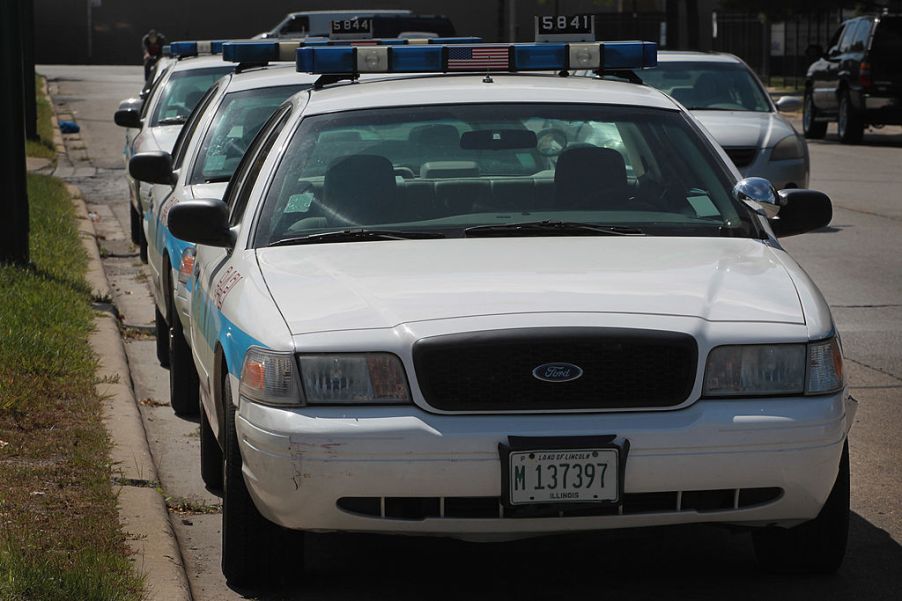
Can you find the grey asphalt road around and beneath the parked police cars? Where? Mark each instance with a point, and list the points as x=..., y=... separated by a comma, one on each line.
x=856, y=262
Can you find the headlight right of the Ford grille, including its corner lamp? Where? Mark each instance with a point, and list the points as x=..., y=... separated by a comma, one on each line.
x=774, y=369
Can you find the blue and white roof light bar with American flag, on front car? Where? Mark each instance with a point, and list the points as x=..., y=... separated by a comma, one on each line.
x=480, y=58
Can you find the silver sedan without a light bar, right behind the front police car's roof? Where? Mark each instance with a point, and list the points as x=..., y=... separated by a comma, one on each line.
x=730, y=101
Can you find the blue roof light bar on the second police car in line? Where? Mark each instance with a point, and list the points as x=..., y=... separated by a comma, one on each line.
x=267, y=51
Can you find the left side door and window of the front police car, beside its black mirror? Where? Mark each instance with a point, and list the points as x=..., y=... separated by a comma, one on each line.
x=211, y=263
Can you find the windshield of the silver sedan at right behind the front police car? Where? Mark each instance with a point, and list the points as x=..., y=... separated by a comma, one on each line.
x=709, y=86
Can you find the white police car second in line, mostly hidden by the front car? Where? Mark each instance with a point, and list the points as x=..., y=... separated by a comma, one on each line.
x=203, y=158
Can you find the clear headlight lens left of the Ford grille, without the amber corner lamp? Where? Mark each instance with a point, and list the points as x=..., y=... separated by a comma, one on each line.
x=345, y=379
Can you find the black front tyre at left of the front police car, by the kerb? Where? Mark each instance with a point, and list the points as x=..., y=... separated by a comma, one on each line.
x=254, y=550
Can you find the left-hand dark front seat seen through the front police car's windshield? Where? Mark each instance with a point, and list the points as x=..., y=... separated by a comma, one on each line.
x=360, y=190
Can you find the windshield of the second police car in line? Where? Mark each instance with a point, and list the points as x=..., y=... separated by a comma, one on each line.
x=238, y=119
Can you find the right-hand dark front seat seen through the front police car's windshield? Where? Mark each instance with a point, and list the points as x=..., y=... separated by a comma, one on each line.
x=590, y=178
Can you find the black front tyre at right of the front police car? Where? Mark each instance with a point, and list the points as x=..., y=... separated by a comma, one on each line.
x=817, y=546
